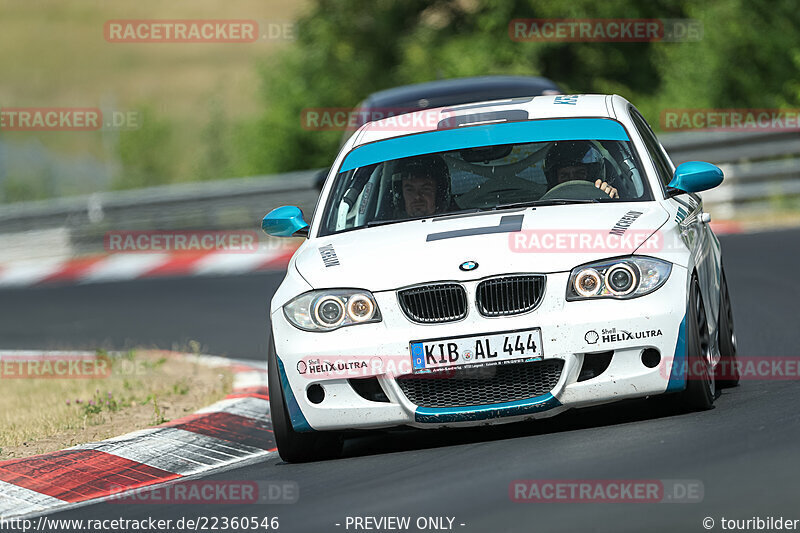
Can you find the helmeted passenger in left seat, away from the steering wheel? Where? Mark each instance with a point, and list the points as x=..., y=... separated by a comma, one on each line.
x=425, y=185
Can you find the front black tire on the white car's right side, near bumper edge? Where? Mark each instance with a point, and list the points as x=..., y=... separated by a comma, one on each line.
x=700, y=385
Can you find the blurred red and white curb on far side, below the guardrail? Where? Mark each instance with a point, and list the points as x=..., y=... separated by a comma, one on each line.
x=130, y=266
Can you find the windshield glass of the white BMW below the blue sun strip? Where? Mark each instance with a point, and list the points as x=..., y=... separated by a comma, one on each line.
x=484, y=178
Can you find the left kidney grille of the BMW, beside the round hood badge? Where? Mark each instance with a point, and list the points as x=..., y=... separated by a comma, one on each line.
x=443, y=302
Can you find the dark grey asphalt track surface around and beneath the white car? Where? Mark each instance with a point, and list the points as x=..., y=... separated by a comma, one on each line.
x=744, y=451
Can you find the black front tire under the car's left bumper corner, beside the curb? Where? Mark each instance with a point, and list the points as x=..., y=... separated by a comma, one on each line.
x=294, y=447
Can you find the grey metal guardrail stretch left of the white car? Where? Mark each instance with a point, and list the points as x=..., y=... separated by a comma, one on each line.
x=228, y=204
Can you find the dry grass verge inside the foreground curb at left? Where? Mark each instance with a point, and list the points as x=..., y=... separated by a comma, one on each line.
x=41, y=413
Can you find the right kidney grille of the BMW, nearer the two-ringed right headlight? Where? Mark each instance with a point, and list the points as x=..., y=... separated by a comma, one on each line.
x=509, y=295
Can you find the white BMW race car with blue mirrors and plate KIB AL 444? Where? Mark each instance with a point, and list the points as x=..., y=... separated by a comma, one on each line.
x=501, y=262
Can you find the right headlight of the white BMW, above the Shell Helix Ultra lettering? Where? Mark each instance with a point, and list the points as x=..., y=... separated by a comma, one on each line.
x=618, y=278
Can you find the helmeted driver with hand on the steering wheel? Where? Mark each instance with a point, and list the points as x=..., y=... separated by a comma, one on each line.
x=576, y=160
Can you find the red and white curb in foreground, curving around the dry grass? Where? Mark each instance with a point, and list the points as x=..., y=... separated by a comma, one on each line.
x=232, y=432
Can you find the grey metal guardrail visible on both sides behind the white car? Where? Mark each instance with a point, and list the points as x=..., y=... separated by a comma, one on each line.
x=760, y=169
